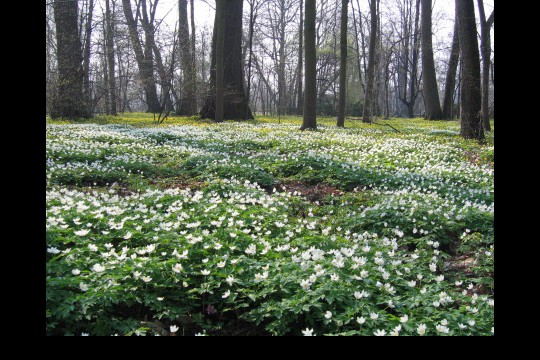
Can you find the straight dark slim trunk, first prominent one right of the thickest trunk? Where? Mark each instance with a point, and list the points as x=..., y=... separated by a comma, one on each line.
x=310, y=70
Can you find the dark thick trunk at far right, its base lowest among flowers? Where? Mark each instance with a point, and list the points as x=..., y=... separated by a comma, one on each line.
x=471, y=124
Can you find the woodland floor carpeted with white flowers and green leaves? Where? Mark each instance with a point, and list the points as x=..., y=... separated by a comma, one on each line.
x=257, y=228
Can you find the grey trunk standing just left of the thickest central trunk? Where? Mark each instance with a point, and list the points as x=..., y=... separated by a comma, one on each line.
x=187, y=104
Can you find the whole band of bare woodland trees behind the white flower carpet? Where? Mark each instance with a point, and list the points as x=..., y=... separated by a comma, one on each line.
x=349, y=58
